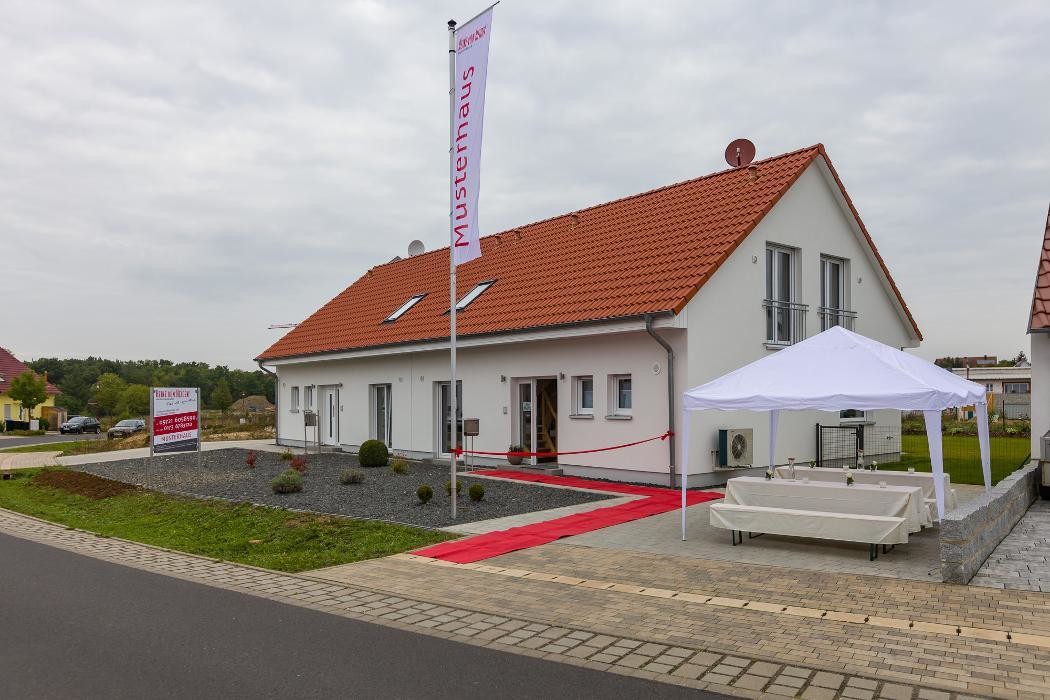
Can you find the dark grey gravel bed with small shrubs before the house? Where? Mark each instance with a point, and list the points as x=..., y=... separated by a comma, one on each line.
x=384, y=495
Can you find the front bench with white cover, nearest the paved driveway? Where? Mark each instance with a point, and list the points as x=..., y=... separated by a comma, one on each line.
x=872, y=531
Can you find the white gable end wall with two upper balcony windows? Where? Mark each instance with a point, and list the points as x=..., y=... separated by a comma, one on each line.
x=727, y=323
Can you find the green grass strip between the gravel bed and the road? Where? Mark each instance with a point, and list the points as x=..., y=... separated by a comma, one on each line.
x=285, y=541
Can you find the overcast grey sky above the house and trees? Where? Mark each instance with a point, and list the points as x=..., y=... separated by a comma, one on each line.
x=176, y=177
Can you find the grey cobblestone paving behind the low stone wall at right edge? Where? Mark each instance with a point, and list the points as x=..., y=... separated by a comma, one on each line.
x=1022, y=562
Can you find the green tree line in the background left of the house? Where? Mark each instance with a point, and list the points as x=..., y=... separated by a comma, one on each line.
x=121, y=388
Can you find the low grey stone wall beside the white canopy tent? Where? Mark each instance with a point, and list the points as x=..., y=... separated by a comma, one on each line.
x=971, y=533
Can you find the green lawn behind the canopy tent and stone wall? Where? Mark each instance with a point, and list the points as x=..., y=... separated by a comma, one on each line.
x=962, y=457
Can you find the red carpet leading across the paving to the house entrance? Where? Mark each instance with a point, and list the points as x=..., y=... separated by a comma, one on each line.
x=495, y=544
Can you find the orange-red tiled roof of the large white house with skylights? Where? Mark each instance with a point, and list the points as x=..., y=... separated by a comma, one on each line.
x=643, y=254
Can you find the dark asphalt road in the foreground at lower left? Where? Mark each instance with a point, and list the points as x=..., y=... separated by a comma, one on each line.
x=75, y=627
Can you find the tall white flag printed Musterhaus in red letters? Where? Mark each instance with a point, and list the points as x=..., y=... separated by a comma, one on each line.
x=472, y=69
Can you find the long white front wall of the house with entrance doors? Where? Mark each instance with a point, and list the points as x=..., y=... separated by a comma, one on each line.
x=415, y=378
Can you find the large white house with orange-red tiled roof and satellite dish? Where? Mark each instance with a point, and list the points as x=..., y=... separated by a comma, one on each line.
x=572, y=329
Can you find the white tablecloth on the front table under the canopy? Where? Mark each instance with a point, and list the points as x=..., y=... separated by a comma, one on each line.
x=907, y=502
